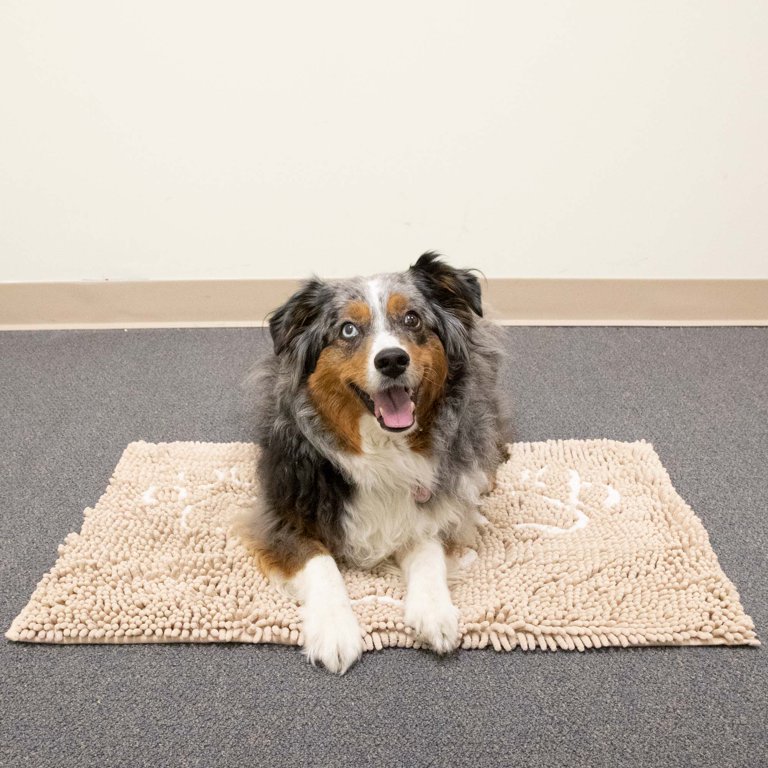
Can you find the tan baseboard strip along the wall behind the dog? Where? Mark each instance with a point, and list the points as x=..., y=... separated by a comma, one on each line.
x=511, y=301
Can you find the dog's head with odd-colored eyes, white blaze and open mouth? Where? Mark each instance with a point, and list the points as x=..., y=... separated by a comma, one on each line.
x=382, y=348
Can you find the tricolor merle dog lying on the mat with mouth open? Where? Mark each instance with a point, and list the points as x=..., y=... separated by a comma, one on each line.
x=380, y=424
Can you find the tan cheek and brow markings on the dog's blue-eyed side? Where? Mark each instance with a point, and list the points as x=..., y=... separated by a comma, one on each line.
x=329, y=385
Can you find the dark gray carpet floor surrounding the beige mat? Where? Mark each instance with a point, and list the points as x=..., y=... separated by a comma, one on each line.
x=71, y=400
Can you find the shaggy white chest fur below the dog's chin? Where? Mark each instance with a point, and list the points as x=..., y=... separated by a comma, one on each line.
x=384, y=516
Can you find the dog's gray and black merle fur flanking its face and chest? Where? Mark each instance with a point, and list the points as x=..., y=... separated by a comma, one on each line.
x=304, y=488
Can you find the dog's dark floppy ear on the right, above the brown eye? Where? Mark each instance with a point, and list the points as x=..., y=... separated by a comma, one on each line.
x=457, y=290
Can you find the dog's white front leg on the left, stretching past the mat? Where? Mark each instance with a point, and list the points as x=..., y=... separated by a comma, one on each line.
x=329, y=625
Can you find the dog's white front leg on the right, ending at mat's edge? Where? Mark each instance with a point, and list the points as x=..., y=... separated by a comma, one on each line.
x=428, y=606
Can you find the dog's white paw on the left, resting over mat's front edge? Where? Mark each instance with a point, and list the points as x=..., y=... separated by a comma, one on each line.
x=332, y=637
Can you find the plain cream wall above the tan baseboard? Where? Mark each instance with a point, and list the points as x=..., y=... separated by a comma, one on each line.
x=160, y=140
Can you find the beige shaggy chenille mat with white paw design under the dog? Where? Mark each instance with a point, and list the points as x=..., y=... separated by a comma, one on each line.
x=582, y=544
